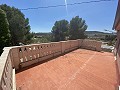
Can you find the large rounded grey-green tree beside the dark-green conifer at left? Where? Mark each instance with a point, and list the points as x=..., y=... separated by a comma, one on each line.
x=18, y=25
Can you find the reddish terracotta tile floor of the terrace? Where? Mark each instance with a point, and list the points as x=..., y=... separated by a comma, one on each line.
x=78, y=70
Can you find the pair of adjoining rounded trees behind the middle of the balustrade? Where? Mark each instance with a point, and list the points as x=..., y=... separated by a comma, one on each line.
x=63, y=30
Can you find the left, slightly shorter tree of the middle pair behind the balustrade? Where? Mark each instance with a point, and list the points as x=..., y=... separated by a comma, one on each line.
x=60, y=30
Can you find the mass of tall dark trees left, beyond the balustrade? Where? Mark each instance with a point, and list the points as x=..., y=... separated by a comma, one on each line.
x=14, y=27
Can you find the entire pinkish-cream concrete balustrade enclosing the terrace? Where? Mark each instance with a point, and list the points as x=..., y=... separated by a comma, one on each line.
x=21, y=56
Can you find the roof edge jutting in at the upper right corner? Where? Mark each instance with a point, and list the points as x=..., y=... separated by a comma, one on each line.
x=116, y=24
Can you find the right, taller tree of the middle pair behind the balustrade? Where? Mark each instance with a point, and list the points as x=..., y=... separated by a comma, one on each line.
x=77, y=28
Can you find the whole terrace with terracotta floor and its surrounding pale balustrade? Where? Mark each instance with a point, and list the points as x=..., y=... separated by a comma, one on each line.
x=66, y=65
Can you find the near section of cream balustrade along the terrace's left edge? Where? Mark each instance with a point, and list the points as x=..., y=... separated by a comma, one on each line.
x=6, y=71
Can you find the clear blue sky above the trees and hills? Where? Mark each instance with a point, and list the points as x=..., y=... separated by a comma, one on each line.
x=98, y=16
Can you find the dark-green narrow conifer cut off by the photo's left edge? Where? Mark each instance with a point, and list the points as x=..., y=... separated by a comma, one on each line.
x=4, y=31
